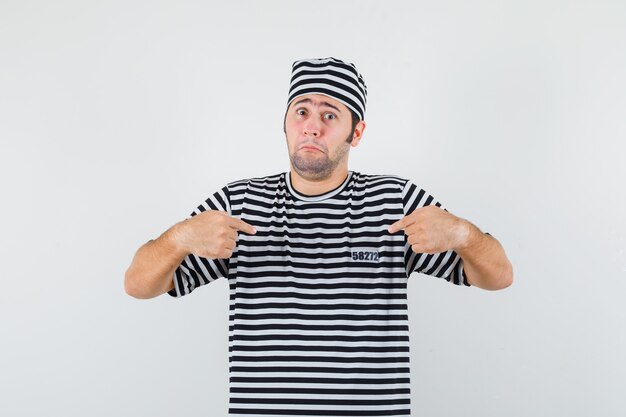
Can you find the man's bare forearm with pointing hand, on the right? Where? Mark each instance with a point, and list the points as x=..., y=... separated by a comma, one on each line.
x=431, y=229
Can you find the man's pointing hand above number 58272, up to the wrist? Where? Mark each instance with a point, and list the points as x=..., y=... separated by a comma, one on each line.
x=431, y=229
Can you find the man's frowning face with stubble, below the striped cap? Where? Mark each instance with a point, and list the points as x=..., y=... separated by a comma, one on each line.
x=318, y=129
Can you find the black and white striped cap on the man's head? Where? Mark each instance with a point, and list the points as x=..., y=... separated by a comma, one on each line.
x=332, y=77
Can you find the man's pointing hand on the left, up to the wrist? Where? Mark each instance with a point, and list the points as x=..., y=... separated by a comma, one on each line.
x=211, y=234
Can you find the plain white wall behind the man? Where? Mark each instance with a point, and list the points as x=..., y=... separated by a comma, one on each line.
x=118, y=118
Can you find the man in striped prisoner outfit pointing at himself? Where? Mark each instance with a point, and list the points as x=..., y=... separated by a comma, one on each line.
x=317, y=261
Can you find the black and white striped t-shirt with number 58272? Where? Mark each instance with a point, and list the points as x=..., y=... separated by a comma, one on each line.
x=318, y=321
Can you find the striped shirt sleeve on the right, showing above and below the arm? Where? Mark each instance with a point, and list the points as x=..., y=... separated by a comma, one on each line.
x=447, y=265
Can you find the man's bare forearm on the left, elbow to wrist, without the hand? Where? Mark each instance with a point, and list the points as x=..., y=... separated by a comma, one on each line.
x=152, y=269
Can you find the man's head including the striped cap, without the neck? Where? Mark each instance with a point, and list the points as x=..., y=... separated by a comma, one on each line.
x=324, y=115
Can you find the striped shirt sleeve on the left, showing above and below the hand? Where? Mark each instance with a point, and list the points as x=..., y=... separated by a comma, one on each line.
x=195, y=271
